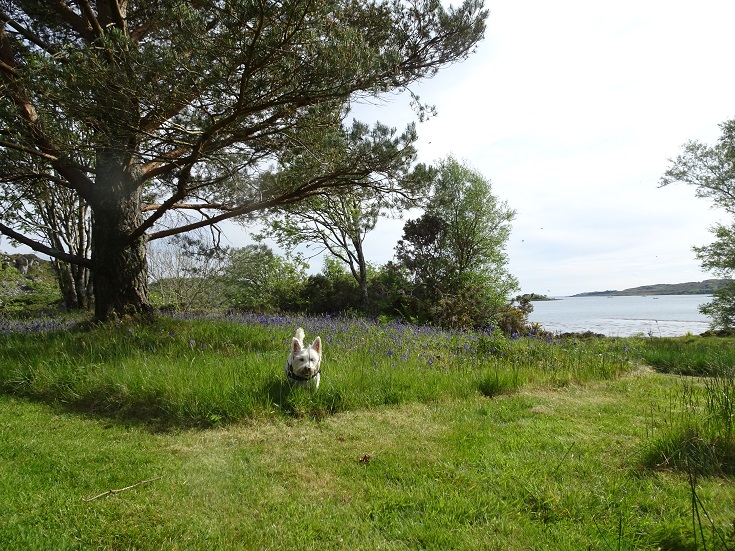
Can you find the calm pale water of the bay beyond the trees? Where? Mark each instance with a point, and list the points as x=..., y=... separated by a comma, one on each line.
x=663, y=316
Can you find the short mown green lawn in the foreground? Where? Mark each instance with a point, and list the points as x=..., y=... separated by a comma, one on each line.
x=546, y=469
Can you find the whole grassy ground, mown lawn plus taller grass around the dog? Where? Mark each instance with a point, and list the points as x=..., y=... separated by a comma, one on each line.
x=522, y=447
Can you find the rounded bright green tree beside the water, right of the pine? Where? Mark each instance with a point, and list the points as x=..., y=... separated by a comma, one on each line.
x=455, y=251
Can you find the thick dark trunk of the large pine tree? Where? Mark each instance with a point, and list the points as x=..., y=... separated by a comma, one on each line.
x=119, y=272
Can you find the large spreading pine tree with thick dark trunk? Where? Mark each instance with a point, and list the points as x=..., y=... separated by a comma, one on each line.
x=165, y=117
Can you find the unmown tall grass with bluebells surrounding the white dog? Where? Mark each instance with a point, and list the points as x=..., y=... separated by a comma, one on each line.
x=185, y=369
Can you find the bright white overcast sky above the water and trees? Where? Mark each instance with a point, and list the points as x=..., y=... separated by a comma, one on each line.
x=572, y=109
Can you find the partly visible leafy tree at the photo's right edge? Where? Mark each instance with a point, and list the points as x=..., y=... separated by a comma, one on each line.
x=711, y=170
